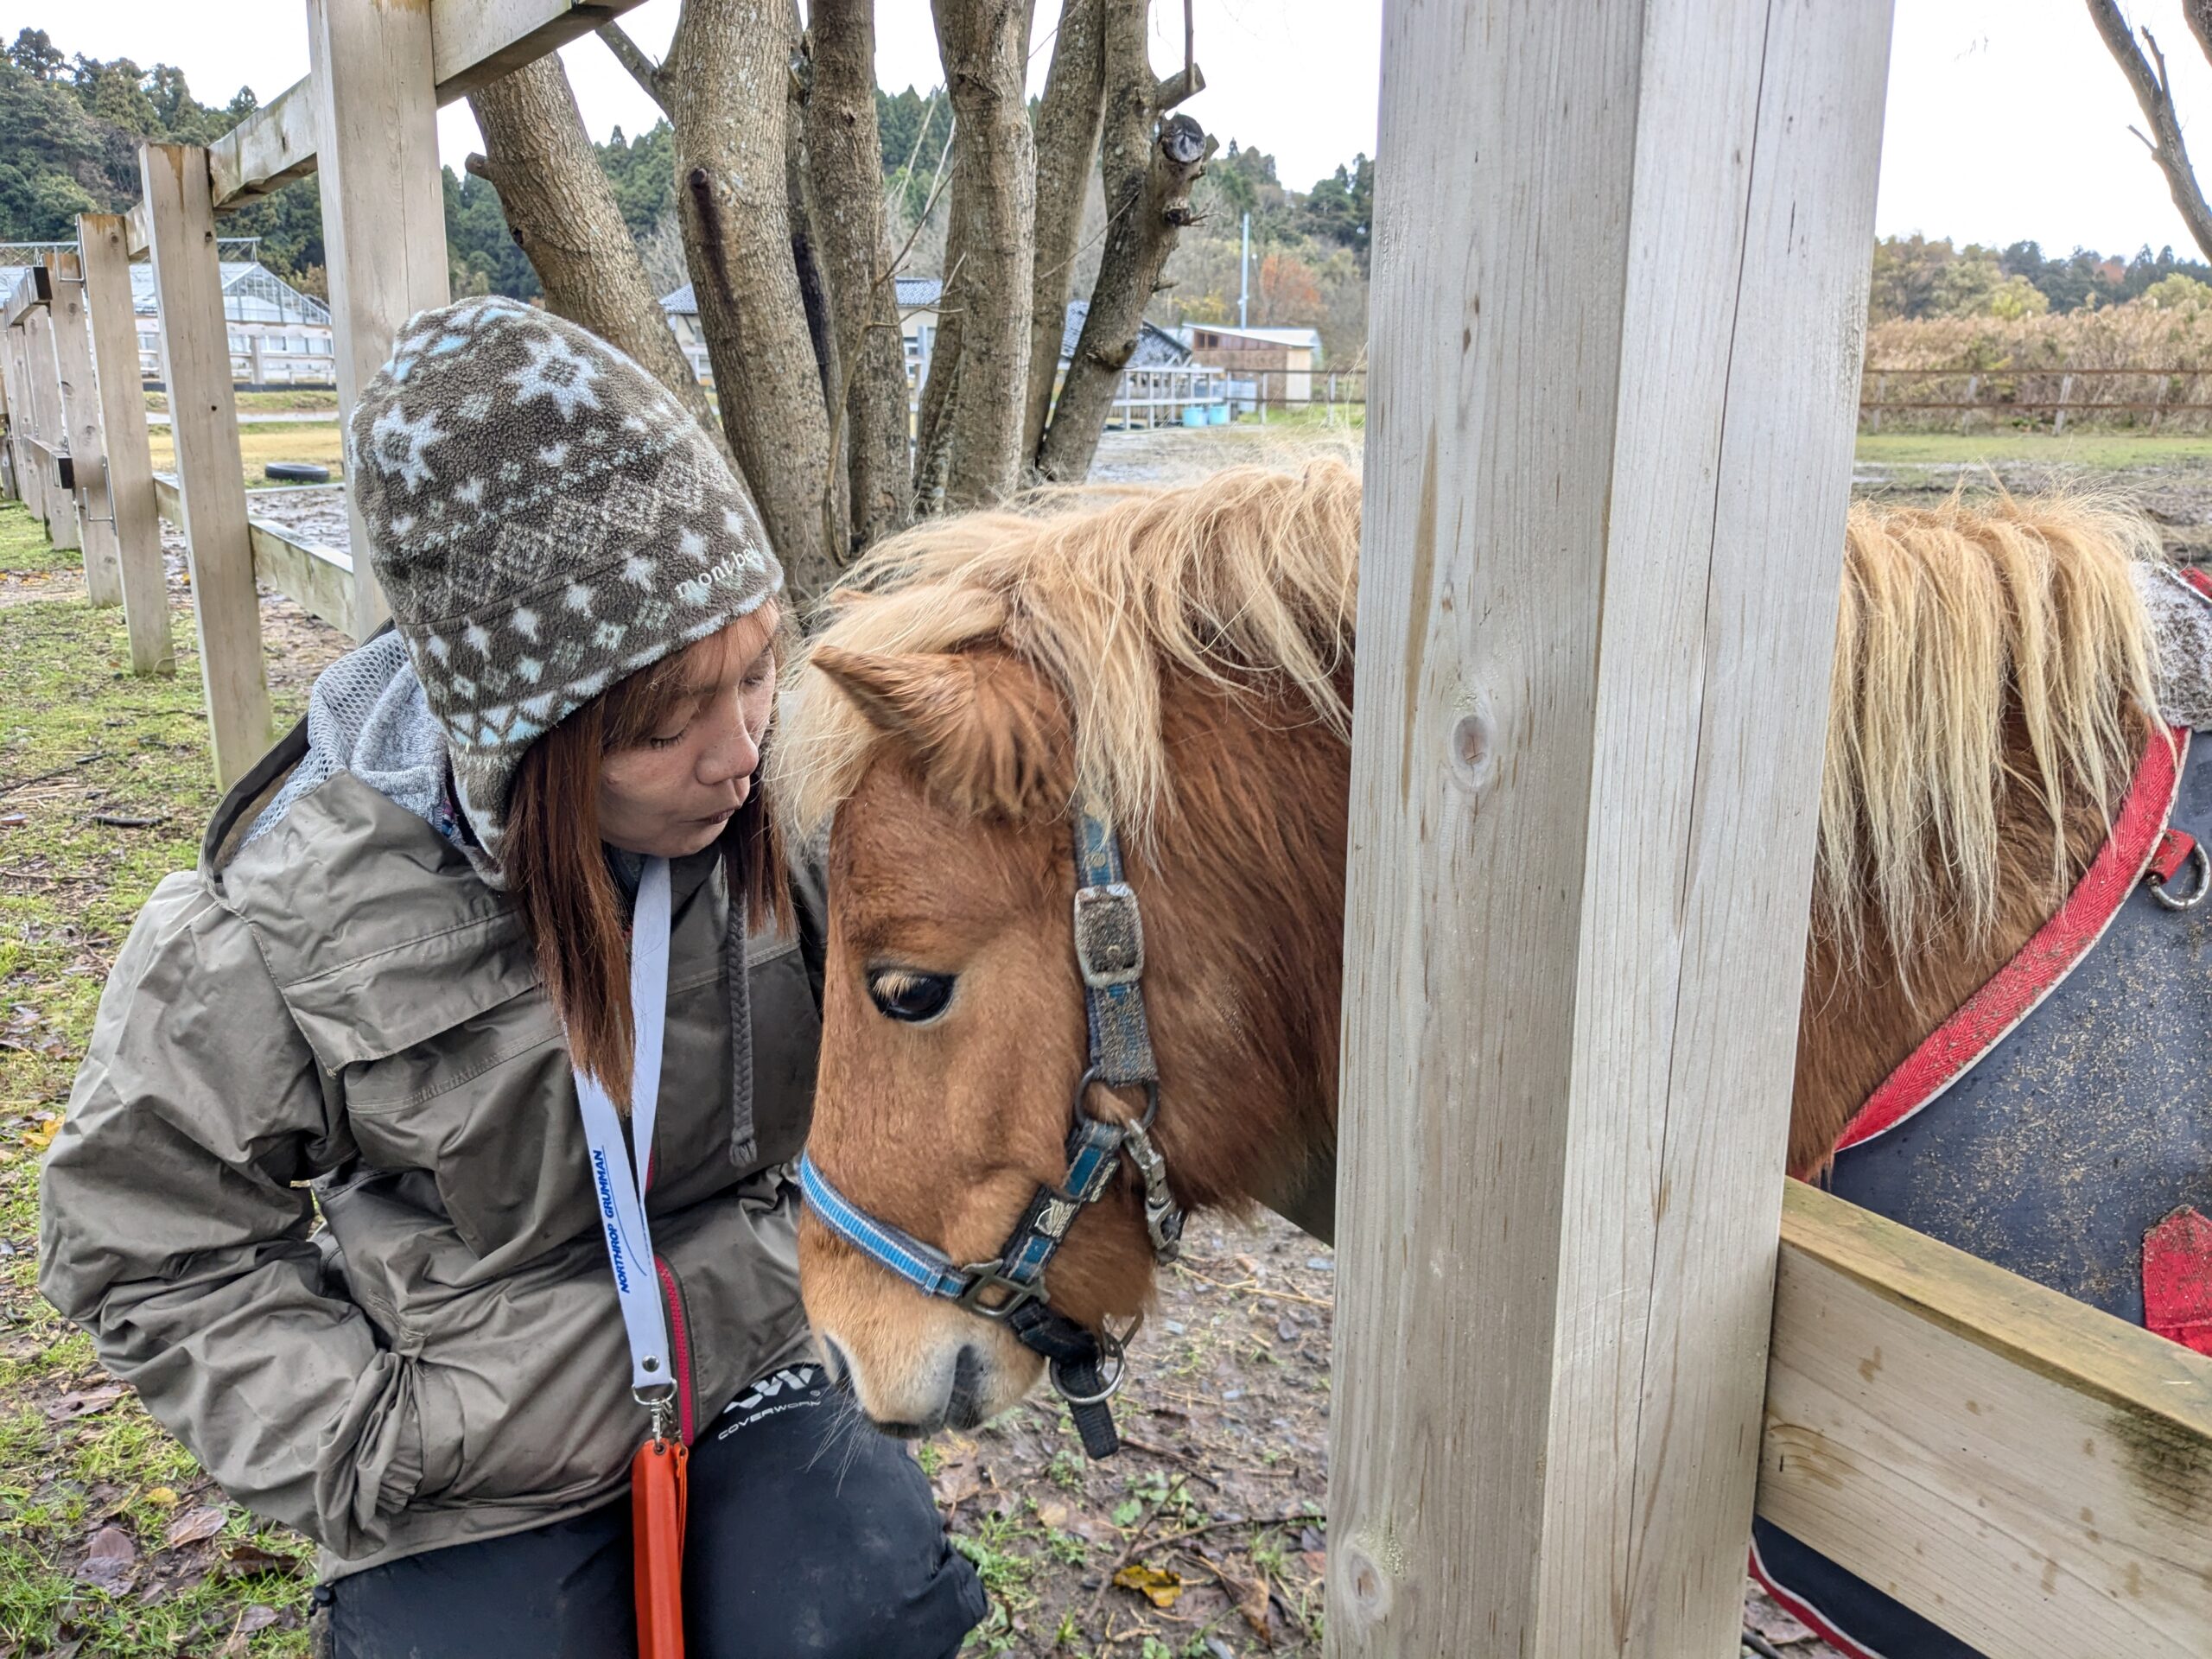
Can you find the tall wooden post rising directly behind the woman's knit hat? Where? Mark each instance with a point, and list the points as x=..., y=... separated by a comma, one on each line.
x=384, y=202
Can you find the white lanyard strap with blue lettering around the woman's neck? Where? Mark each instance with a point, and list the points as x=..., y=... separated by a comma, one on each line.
x=623, y=1189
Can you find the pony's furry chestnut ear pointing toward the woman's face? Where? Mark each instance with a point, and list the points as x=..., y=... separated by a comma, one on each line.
x=988, y=731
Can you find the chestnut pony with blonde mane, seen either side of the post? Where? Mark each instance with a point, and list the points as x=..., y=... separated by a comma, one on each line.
x=1182, y=662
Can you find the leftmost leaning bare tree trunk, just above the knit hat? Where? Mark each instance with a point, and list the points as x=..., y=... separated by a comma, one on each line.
x=563, y=211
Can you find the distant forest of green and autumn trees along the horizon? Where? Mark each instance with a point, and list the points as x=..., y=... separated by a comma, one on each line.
x=70, y=132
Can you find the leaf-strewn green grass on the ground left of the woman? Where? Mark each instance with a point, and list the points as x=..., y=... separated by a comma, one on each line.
x=81, y=735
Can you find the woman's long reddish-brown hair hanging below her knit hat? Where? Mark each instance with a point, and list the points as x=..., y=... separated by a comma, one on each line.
x=559, y=877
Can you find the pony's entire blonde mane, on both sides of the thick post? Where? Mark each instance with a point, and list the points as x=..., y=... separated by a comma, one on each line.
x=1950, y=618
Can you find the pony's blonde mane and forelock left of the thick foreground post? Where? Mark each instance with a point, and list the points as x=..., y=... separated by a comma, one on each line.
x=1244, y=581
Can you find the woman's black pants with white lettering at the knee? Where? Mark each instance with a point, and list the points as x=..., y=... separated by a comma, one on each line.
x=808, y=1534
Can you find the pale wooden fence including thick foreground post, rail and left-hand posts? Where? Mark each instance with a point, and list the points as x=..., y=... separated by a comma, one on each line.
x=1583, y=1326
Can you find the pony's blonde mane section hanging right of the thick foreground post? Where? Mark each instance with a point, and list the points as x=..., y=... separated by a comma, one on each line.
x=1952, y=620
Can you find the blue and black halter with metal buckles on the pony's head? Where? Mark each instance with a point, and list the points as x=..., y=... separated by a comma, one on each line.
x=1087, y=1366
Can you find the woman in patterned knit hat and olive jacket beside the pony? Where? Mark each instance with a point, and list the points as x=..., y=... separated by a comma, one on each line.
x=390, y=992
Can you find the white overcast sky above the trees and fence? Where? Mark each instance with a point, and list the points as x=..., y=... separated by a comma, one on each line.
x=2007, y=121
